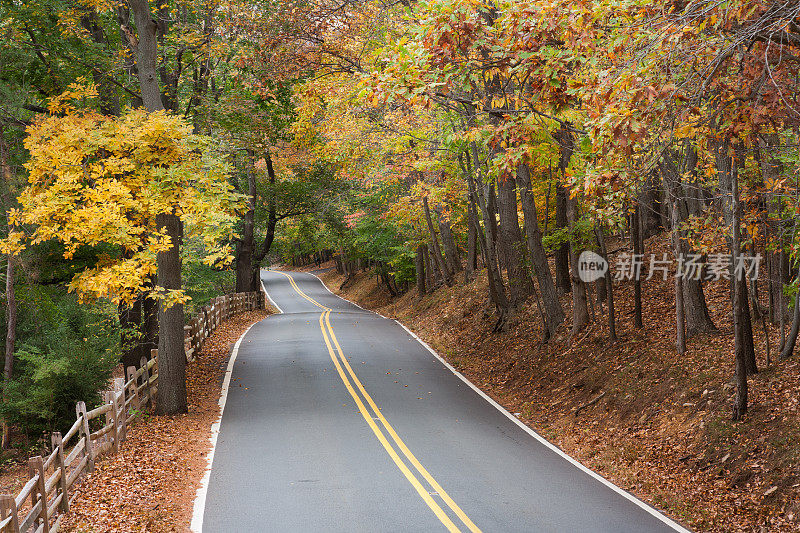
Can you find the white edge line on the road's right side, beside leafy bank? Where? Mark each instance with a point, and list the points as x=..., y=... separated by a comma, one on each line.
x=552, y=447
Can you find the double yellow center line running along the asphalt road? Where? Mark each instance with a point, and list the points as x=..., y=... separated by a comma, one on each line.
x=341, y=363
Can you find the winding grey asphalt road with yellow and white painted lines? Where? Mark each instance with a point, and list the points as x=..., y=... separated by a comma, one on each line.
x=339, y=420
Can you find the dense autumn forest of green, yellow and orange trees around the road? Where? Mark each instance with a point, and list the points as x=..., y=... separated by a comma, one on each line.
x=153, y=154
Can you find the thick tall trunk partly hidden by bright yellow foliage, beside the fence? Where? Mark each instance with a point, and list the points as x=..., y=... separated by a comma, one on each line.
x=171, y=356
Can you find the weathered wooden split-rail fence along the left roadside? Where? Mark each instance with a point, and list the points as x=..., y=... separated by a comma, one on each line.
x=40, y=506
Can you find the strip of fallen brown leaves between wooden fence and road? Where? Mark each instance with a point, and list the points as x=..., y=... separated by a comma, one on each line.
x=150, y=485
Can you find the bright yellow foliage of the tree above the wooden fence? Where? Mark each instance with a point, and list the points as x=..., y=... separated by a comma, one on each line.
x=95, y=180
